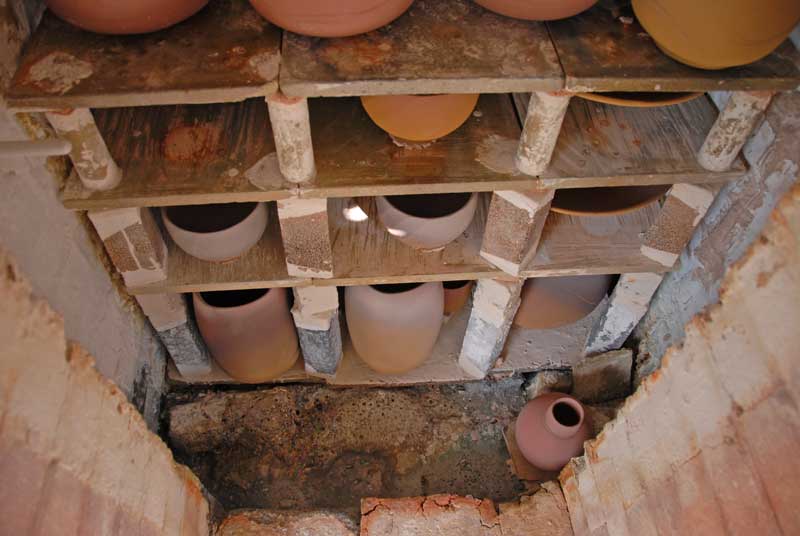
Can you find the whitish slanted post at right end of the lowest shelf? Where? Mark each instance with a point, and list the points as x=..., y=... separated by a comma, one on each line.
x=626, y=307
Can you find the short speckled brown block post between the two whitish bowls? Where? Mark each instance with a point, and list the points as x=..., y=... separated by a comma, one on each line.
x=306, y=237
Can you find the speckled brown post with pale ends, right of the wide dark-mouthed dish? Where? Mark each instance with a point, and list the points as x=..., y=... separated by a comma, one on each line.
x=684, y=207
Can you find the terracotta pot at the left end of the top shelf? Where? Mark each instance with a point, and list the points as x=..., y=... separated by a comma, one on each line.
x=125, y=16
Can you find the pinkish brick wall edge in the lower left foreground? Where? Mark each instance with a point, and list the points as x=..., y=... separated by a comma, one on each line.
x=75, y=456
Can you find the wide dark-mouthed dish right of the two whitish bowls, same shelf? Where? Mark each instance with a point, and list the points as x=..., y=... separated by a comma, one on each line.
x=605, y=201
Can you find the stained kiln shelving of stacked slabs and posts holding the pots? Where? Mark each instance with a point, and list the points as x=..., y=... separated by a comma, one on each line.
x=226, y=108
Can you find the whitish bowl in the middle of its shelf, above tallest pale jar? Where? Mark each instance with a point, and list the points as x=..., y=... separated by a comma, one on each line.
x=426, y=232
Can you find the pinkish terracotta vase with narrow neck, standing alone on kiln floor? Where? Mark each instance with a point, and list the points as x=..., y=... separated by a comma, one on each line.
x=551, y=429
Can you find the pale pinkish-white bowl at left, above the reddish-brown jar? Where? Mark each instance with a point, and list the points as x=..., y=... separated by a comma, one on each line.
x=216, y=233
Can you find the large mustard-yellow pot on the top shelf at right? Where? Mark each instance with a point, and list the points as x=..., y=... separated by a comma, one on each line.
x=716, y=34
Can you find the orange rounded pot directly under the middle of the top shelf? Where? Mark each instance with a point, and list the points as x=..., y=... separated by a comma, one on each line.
x=419, y=118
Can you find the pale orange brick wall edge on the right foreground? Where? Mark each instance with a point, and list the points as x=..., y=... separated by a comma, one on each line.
x=707, y=444
